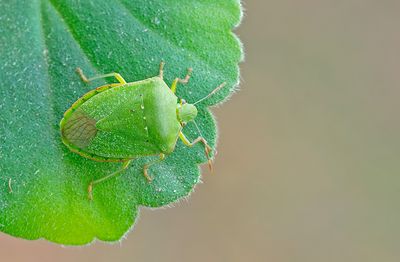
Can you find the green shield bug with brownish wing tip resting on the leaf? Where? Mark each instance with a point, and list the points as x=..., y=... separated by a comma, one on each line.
x=123, y=121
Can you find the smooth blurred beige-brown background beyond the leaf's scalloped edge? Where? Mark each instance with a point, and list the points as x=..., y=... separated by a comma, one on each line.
x=308, y=166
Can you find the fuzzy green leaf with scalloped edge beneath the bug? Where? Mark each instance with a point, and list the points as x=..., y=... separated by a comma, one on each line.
x=43, y=186
